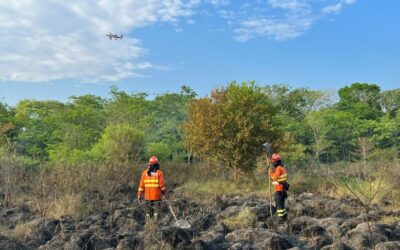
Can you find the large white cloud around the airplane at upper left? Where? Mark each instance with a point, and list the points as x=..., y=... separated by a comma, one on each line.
x=45, y=40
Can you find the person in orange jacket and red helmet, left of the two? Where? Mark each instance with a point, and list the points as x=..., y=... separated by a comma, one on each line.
x=153, y=186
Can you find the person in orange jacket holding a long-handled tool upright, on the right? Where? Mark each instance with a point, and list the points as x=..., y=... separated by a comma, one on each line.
x=279, y=176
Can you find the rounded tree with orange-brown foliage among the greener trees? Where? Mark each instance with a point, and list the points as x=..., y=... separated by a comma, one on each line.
x=230, y=125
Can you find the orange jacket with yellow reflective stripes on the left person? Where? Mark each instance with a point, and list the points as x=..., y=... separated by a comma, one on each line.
x=152, y=185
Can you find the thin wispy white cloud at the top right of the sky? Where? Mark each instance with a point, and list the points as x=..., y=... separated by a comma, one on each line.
x=295, y=18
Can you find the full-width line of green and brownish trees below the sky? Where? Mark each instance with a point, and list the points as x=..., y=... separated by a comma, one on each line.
x=228, y=125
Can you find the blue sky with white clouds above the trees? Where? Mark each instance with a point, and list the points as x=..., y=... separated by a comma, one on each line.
x=53, y=50
